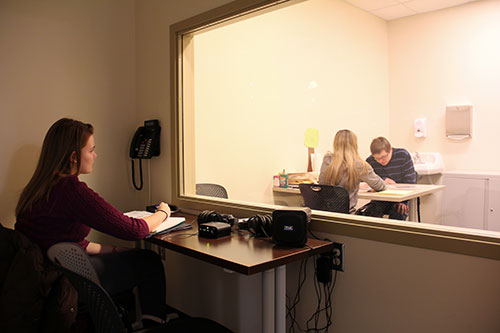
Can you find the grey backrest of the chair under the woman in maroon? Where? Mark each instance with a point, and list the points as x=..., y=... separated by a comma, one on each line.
x=71, y=256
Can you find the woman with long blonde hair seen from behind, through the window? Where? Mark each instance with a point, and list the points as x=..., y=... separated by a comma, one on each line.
x=344, y=167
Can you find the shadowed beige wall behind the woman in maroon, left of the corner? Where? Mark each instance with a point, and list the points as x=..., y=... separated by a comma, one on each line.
x=66, y=59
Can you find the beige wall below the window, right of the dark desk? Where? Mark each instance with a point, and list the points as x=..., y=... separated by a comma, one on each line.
x=388, y=288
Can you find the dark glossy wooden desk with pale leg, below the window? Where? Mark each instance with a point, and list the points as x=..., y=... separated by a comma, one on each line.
x=245, y=254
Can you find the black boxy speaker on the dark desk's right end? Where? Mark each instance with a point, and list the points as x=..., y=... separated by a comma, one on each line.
x=289, y=226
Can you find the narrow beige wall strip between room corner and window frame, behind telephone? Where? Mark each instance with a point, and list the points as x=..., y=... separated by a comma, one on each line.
x=153, y=77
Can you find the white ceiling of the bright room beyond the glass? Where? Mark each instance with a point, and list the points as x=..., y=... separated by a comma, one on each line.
x=393, y=9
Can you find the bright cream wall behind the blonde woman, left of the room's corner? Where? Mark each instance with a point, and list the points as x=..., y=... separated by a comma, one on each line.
x=261, y=82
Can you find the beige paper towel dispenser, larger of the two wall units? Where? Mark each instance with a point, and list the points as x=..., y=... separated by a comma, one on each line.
x=459, y=122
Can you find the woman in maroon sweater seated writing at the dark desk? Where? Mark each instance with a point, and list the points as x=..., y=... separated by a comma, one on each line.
x=56, y=207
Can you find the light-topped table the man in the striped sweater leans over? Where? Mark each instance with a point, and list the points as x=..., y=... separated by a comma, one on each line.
x=393, y=193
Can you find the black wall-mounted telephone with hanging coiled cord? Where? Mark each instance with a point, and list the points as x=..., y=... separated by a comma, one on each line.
x=145, y=144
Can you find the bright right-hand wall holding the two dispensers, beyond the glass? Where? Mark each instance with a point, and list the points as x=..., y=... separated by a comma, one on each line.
x=447, y=57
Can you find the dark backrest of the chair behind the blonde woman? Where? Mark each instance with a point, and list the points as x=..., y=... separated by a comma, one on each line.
x=331, y=198
